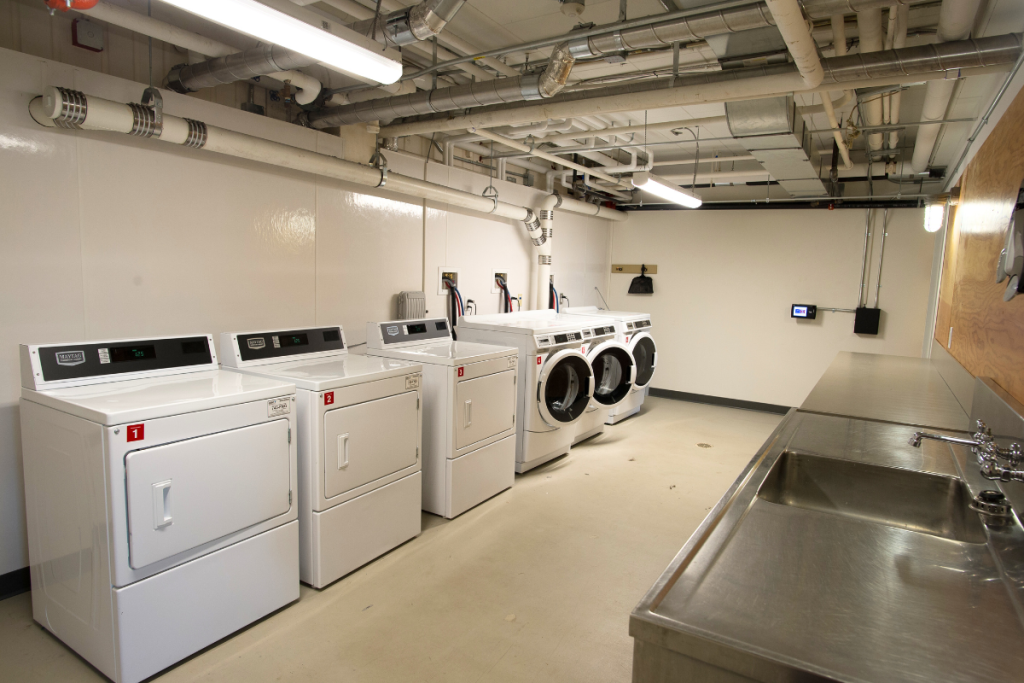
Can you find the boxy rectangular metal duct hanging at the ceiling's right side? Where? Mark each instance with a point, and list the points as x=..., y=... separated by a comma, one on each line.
x=776, y=136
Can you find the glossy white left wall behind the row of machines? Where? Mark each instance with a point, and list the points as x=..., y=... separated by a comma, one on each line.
x=107, y=236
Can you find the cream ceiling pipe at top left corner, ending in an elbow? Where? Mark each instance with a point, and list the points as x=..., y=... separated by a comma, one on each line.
x=168, y=33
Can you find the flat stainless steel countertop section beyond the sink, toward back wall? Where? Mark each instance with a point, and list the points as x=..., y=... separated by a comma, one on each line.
x=889, y=389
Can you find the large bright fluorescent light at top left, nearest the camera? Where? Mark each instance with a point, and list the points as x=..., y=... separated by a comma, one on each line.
x=269, y=25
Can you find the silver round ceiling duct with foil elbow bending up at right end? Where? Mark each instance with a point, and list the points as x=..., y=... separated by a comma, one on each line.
x=481, y=94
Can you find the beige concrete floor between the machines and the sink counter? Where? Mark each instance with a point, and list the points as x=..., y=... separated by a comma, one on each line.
x=535, y=585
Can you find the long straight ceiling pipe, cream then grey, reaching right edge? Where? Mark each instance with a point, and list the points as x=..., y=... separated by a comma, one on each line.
x=910, y=65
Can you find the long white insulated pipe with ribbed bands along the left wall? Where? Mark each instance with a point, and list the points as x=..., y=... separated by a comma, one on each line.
x=115, y=117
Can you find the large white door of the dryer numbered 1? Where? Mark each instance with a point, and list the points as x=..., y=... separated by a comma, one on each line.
x=186, y=494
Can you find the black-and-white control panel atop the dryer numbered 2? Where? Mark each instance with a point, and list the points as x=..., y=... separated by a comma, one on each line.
x=254, y=349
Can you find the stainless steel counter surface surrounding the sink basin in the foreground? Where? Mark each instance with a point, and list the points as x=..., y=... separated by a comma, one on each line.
x=779, y=592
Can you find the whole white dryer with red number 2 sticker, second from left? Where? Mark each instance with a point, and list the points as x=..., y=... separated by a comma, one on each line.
x=359, y=438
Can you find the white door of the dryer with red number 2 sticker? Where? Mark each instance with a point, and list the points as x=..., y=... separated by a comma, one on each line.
x=367, y=442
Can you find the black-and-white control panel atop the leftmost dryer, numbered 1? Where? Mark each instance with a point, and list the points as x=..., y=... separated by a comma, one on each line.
x=47, y=366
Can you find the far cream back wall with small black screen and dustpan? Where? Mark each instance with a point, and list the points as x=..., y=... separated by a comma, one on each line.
x=727, y=281
